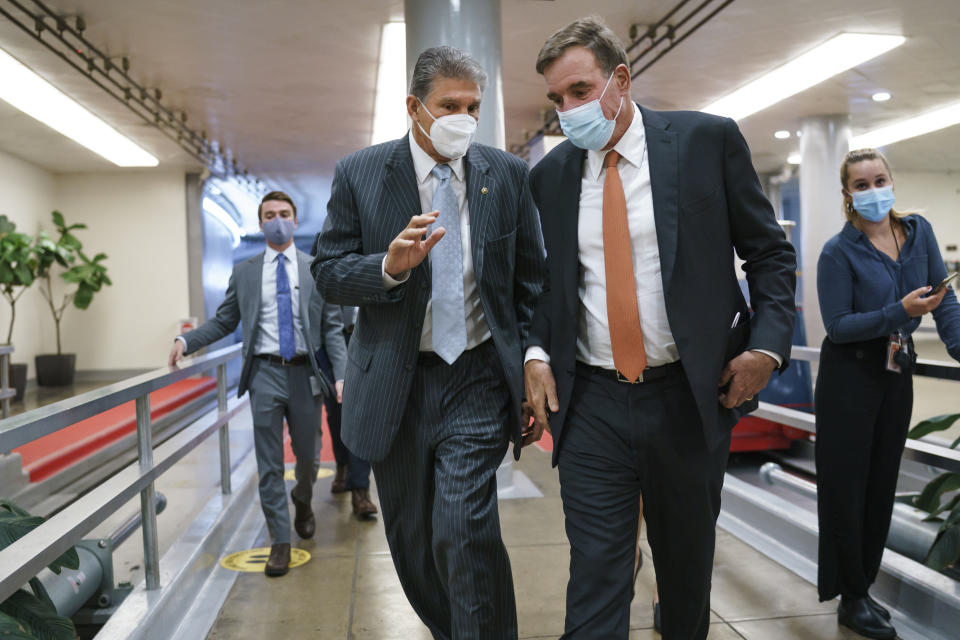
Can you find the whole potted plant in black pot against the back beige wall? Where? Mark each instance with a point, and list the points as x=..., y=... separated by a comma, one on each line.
x=83, y=277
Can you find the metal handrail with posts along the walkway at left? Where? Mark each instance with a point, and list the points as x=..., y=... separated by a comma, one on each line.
x=24, y=558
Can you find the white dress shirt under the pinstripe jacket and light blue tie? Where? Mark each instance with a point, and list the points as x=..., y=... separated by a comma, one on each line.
x=423, y=164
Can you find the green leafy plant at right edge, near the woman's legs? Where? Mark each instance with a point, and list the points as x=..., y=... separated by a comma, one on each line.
x=945, y=551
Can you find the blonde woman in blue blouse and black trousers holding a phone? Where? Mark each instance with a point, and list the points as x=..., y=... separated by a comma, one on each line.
x=874, y=283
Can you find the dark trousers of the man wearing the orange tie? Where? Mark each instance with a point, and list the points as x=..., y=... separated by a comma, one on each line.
x=622, y=441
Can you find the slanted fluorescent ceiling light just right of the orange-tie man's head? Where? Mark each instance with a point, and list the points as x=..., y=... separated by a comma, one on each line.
x=834, y=56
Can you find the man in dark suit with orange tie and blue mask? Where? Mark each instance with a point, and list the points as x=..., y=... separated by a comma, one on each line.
x=644, y=349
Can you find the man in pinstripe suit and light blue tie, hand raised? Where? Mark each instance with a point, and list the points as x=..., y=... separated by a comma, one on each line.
x=434, y=375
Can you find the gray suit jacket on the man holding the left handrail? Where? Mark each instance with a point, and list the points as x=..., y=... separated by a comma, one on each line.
x=320, y=321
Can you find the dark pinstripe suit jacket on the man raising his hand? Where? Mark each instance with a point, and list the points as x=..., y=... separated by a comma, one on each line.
x=373, y=197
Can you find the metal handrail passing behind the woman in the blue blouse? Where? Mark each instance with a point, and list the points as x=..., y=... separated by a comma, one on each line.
x=920, y=451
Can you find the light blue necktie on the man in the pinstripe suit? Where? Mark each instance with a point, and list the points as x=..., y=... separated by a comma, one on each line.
x=446, y=260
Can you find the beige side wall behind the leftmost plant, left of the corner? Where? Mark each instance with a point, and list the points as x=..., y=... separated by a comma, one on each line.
x=26, y=197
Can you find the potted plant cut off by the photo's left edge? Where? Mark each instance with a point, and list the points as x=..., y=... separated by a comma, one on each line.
x=17, y=272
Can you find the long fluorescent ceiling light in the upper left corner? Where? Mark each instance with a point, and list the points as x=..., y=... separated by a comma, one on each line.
x=39, y=99
